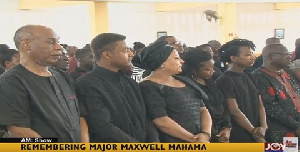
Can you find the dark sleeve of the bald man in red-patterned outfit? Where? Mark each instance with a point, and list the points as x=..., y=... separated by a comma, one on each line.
x=272, y=107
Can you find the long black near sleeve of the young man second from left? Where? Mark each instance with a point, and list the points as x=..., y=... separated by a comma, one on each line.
x=98, y=117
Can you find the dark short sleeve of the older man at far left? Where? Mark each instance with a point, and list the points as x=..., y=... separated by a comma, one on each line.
x=14, y=104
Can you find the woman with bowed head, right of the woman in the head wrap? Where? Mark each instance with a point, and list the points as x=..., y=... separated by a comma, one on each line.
x=199, y=66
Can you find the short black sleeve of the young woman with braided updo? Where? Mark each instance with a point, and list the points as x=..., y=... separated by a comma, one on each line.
x=227, y=87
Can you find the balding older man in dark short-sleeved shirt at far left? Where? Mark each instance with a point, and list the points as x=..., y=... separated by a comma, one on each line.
x=37, y=101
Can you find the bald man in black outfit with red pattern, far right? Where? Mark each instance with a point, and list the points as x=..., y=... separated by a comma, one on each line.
x=280, y=94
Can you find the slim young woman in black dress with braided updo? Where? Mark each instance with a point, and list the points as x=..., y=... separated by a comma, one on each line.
x=248, y=117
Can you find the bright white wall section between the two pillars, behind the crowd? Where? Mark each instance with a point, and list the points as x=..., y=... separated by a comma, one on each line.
x=141, y=22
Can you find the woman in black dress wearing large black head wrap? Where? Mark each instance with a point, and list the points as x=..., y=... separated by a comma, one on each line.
x=173, y=103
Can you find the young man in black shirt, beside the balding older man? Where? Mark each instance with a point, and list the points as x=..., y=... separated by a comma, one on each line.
x=110, y=101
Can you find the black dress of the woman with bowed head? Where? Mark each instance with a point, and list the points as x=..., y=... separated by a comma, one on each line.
x=215, y=104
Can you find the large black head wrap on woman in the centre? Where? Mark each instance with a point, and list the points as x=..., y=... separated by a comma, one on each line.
x=153, y=56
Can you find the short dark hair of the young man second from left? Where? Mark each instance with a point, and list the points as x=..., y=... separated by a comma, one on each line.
x=105, y=42
